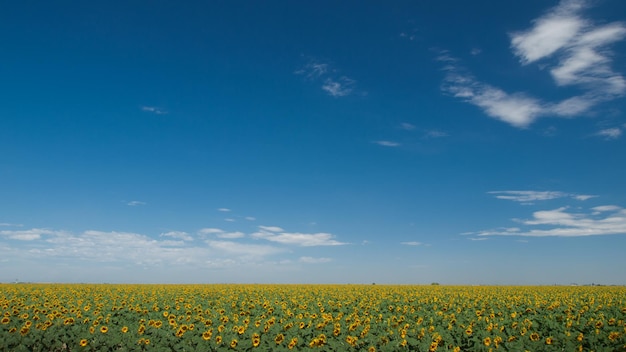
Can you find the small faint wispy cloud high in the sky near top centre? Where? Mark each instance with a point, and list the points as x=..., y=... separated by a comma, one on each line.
x=333, y=84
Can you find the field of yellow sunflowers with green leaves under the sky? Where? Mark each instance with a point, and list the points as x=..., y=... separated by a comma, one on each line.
x=301, y=317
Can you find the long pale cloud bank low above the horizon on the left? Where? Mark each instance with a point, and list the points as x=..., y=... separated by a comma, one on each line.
x=212, y=248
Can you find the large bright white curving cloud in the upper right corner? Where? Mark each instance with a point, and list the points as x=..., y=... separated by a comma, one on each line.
x=583, y=59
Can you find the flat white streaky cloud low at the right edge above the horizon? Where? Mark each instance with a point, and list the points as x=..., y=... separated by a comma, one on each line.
x=601, y=220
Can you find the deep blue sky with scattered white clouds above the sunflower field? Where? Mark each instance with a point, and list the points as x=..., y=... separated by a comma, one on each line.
x=313, y=142
